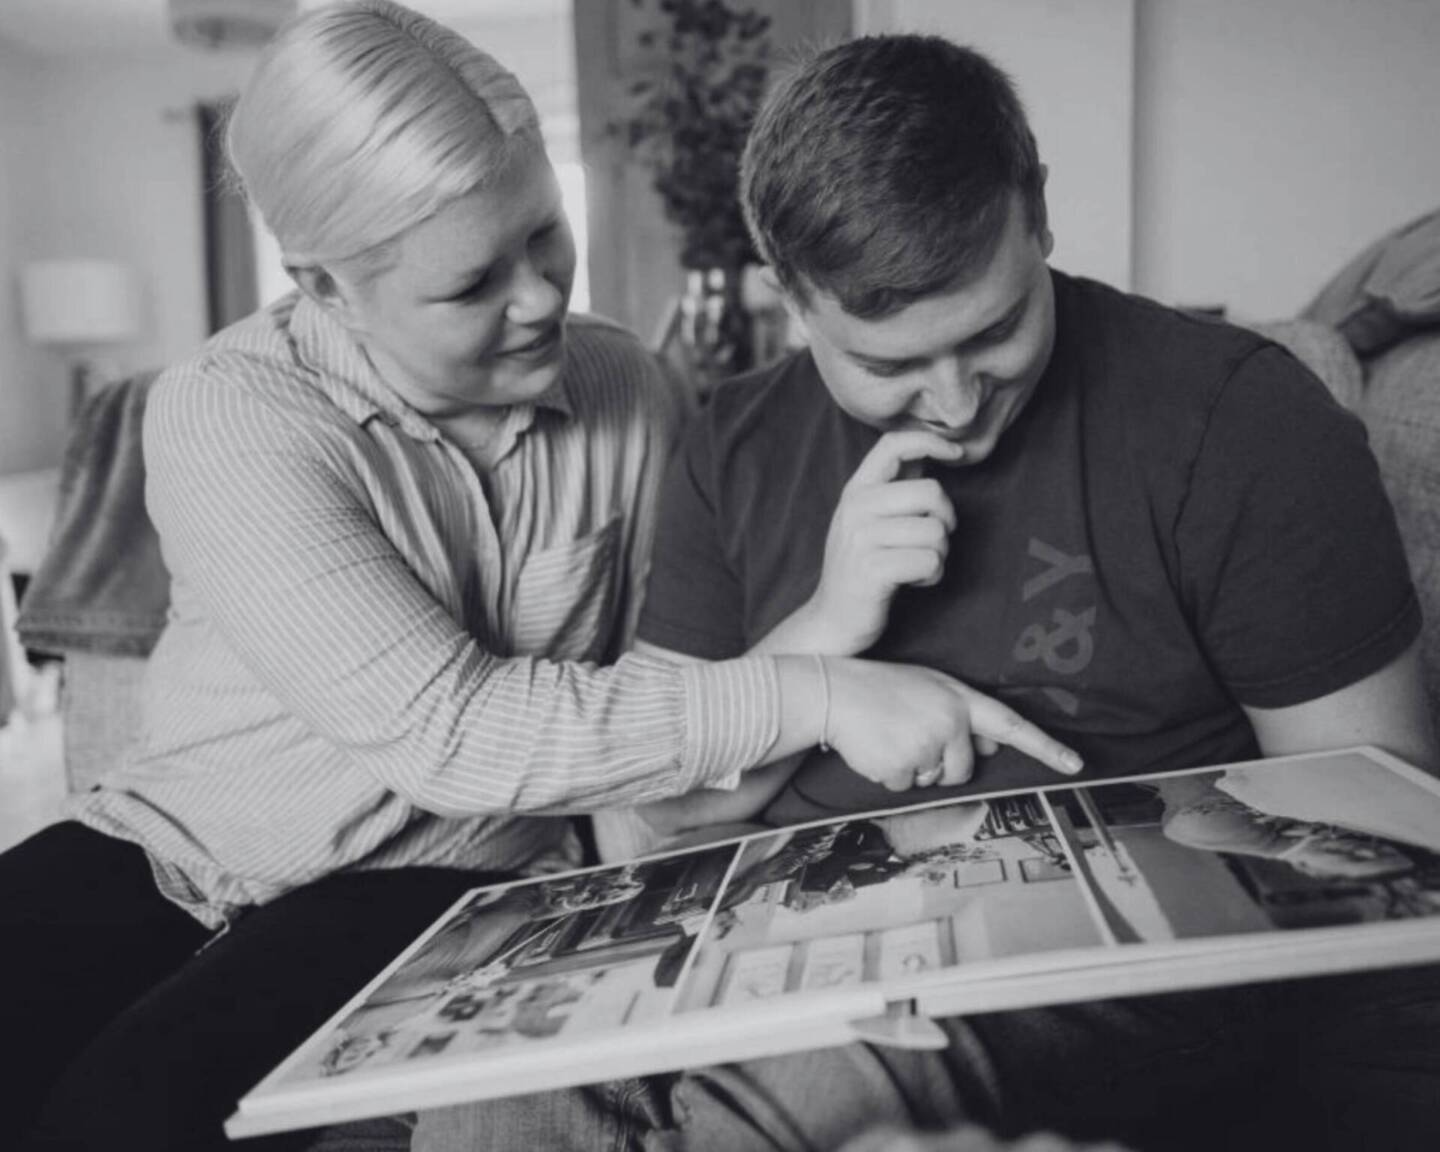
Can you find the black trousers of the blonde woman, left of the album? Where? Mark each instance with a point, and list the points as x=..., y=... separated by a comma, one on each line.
x=130, y=1027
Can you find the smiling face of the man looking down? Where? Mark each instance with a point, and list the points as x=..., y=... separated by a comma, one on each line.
x=963, y=364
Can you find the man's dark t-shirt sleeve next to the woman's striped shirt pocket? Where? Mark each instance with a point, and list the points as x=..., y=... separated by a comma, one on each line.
x=693, y=603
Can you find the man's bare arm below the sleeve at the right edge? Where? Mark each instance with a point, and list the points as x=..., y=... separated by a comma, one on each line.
x=1386, y=709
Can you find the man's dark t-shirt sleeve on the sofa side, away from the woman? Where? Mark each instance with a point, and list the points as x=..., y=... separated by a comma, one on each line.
x=1294, y=570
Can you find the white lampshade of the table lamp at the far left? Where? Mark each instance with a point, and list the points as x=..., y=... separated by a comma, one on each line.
x=80, y=302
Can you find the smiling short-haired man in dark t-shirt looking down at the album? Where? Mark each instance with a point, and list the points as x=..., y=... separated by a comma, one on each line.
x=1154, y=536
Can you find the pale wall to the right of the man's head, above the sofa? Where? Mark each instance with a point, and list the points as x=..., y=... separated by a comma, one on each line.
x=1230, y=152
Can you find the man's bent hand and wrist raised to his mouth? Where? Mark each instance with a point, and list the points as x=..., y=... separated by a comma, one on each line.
x=889, y=531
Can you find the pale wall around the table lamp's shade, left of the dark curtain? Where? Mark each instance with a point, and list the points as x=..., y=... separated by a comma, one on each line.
x=110, y=169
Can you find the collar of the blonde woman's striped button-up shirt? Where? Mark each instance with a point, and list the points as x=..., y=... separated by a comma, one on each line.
x=348, y=378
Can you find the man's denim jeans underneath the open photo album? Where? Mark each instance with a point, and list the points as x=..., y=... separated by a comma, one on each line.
x=1344, y=1063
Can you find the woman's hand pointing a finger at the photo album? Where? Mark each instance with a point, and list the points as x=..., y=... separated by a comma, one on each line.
x=904, y=726
